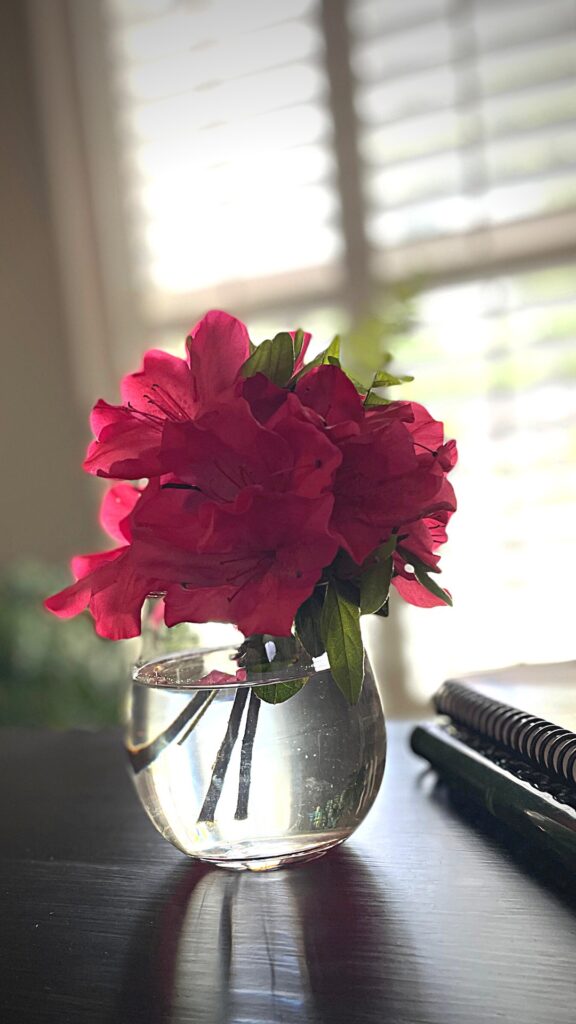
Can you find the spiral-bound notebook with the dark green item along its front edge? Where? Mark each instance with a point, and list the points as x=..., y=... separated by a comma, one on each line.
x=508, y=739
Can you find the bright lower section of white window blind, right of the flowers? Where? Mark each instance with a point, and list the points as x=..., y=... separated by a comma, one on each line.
x=497, y=359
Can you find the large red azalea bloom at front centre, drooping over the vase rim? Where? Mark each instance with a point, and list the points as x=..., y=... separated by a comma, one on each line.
x=252, y=563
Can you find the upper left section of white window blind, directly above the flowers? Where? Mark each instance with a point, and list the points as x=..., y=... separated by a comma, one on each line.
x=230, y=172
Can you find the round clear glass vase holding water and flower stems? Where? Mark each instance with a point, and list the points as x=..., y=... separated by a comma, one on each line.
x=232, y=778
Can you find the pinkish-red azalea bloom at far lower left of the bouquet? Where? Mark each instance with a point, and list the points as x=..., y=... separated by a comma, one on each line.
x=109, y=583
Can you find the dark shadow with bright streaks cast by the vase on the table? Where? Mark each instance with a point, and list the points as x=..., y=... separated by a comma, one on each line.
x=313, y=944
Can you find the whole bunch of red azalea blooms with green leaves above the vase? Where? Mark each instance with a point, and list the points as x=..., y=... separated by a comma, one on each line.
x=261, y=486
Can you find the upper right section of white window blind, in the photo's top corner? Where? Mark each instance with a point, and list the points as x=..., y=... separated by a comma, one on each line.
x=468, y=115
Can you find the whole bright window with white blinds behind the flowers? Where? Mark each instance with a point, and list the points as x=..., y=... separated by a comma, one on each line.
x=290, y=160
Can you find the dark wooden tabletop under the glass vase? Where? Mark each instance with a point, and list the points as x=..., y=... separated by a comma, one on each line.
x=431, y=914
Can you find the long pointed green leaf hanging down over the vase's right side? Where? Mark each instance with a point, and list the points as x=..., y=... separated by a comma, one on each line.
x=341, y=627
